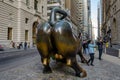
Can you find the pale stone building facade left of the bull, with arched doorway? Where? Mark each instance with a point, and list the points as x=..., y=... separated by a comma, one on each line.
x=18, y=21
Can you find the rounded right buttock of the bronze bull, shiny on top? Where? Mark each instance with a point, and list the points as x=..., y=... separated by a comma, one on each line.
x=65, y=41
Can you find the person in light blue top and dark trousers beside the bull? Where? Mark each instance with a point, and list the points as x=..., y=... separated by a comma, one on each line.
x=91, y=47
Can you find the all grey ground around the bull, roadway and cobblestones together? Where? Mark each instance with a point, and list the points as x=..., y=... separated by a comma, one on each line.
x=29, y=67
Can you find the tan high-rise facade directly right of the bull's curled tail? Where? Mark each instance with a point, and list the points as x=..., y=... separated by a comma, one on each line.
x=77, y=14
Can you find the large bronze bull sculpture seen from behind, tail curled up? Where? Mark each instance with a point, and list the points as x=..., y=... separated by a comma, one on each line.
x=55, y=39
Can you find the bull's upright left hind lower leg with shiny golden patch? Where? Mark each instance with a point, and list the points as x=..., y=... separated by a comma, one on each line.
x=45, y=62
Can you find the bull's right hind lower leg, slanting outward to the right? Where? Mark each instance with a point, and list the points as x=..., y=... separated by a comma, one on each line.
x=80, y=72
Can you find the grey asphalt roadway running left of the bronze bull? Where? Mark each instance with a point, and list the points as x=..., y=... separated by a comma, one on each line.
x=17, y=60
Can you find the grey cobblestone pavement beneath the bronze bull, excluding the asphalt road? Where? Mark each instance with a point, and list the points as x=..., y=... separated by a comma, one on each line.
x=103, y=70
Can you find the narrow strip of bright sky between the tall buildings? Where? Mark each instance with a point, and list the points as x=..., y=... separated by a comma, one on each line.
x=94, y=5
